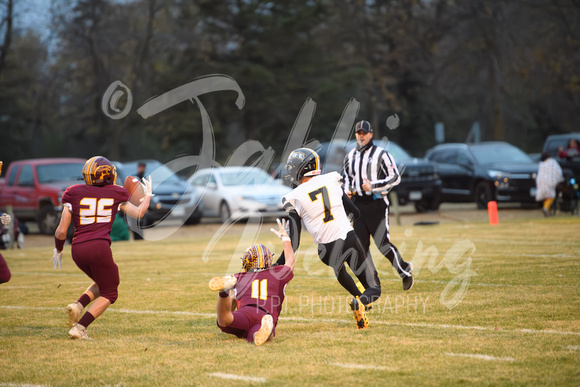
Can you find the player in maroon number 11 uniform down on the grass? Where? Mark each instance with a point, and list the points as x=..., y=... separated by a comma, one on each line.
x=259, y=291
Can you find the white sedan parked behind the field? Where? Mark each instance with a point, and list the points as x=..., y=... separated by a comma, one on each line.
x=239, y=192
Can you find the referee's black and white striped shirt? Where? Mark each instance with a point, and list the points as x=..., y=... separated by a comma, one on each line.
x=374, y=164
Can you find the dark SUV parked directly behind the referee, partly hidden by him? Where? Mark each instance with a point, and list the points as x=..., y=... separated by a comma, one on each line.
x=420, y=183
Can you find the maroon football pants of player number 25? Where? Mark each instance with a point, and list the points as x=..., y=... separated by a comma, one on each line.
x=96, y=260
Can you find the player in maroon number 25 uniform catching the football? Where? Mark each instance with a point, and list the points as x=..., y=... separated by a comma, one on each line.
x=93, y=207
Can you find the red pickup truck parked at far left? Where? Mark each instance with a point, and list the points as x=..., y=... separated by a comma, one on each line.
x=34, y=189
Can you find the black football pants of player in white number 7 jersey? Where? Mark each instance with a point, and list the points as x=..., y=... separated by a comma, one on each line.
x=350, y=251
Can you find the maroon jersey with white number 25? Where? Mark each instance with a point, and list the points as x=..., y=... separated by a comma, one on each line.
x=93, y=209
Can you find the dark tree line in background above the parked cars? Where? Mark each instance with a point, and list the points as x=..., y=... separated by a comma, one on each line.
x=513, y=67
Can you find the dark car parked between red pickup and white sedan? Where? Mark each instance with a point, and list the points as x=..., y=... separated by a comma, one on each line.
x=171, y=194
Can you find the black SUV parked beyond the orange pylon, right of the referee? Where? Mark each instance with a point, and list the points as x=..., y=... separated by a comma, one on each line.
x=485, y=171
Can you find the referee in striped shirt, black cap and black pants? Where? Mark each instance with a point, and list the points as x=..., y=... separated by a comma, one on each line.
x=368, y=172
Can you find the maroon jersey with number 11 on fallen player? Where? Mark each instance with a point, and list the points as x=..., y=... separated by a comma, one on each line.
x=264, y=289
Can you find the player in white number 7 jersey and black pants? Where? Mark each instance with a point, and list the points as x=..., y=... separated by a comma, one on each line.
x=319, y=201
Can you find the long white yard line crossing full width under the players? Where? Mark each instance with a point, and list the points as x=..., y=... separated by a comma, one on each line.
x=310, y=320
